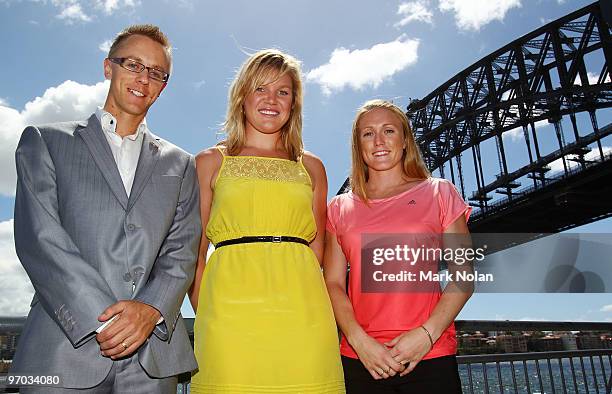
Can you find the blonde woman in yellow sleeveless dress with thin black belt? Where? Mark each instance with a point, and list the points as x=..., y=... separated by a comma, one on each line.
x=264, y=322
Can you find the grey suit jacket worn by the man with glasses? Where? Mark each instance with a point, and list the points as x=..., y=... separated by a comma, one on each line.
x=85, y=245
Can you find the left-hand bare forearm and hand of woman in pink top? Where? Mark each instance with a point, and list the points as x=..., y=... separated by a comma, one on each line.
x=374, y=356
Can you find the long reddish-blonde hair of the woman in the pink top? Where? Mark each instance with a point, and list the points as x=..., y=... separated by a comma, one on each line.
x=413, y=164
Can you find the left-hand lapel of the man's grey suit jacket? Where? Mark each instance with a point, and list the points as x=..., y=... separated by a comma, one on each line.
x=103, y=157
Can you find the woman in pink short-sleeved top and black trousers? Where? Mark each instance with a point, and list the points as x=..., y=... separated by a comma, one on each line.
x=395, y=341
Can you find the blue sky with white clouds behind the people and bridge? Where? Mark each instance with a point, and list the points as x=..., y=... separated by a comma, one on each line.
x=350, y=52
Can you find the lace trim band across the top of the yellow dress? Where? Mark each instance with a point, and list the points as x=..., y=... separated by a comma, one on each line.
x=264, y=168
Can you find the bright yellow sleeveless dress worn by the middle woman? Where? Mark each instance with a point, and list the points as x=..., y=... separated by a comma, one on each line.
x=264, y=322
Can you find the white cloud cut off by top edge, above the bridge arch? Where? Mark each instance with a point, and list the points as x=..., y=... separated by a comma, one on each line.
x=473, y=14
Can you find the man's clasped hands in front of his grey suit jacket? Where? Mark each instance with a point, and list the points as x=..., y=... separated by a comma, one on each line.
x=129, y=330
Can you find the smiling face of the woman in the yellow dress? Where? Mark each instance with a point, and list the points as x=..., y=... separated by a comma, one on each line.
x=268, y=108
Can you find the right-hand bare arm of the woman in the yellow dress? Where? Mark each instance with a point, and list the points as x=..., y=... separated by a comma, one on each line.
x=316, y=170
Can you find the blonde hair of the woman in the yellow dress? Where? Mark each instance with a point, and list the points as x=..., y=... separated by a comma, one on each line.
x=257, y=69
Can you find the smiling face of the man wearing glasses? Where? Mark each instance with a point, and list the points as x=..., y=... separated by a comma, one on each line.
x=133, y=93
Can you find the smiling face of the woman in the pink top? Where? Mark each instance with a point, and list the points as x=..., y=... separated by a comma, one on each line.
x=381, y=139
